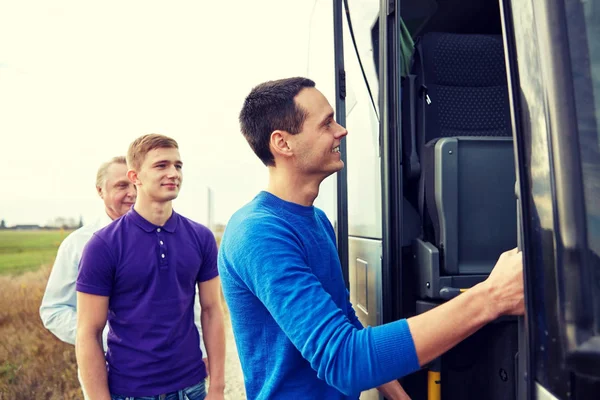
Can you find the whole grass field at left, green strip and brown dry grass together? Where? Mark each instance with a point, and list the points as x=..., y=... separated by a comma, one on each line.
x=33, y=363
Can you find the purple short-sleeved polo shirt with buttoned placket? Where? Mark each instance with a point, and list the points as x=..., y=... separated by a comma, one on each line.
x=149, y=273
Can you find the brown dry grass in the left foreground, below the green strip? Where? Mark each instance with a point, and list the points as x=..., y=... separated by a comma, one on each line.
x=34, y=364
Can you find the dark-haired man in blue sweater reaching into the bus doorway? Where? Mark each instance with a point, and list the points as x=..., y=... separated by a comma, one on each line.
x=296, y=332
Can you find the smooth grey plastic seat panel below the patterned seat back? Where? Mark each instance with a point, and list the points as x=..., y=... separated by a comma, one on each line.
x=471, y=202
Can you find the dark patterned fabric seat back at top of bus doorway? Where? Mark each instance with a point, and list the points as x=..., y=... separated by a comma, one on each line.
x=464, y=78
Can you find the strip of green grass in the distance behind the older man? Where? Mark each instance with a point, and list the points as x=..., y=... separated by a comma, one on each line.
x=22, y=251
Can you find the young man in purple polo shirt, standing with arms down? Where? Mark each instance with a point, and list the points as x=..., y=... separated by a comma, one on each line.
x=139, y=273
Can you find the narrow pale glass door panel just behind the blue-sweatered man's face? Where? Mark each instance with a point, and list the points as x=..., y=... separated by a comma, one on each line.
x=363, y=162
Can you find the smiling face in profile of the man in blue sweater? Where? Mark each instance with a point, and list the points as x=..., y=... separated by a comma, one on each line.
x=316, y=147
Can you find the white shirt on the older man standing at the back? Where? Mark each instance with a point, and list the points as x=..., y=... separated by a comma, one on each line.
x=59, y=305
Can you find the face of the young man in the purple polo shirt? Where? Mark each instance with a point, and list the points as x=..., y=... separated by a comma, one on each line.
x=160, y=175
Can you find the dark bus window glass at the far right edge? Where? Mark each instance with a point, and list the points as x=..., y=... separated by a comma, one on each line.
x=583, y=23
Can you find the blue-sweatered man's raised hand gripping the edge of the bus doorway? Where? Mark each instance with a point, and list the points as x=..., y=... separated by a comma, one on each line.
x=505, y=285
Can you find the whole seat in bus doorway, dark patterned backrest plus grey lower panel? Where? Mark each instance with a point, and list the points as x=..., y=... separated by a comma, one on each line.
x=458, y=147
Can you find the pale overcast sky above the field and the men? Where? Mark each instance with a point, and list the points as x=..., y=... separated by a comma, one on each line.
x=80, y=80
